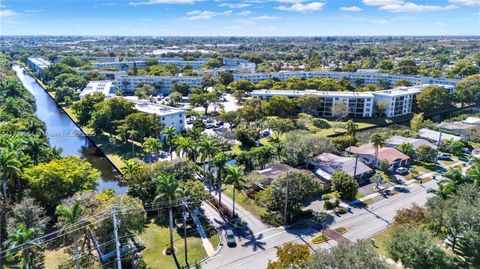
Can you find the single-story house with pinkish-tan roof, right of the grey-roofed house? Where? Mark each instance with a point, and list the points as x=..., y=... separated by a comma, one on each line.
x=393, y=157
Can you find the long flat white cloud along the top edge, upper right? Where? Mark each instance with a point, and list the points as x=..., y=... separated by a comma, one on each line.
x=403, y=6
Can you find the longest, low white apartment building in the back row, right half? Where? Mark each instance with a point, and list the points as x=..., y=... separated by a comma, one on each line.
x=353, y=77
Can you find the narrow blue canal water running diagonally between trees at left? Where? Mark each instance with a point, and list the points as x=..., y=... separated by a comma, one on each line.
x=63, y=133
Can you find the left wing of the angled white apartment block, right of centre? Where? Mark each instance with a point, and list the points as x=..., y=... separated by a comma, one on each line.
x=360, y=104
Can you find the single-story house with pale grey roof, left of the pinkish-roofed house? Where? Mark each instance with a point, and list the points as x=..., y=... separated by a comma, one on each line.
x=326, y=164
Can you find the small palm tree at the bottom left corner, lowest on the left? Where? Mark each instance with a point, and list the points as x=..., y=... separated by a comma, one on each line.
x=21, y=237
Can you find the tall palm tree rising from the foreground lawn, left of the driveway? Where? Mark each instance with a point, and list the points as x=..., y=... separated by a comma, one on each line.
x=168, y=188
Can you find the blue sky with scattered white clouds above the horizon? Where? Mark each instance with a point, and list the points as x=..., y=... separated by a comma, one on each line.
x=240, y=18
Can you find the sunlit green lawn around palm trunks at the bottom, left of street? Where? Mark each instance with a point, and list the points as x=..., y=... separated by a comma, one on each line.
x=156, y=239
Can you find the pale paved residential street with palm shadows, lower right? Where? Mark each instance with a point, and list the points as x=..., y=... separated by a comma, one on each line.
x=255, y=249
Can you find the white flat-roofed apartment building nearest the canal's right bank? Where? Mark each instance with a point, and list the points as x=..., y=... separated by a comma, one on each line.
x=170, y=116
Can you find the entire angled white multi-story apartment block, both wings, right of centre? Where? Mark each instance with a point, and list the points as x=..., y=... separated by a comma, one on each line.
x=398, y=101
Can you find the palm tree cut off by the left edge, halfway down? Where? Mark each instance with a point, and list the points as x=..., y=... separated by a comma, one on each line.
x=10, y=168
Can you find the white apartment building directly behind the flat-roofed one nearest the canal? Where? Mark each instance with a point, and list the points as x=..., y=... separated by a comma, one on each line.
x=163, y=84
